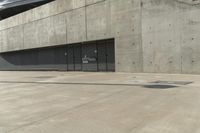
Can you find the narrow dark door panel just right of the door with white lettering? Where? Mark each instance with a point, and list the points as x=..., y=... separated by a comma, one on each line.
x=102, y=61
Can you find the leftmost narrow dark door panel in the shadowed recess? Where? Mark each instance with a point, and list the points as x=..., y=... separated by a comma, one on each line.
x=70, y=55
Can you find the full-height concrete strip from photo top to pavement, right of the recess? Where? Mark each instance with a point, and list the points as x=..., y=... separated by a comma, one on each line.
x=126, y=28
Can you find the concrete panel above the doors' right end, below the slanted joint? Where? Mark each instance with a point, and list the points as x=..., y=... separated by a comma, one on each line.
x=98, y=21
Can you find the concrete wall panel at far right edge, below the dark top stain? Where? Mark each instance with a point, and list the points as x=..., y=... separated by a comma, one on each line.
x=190, y=38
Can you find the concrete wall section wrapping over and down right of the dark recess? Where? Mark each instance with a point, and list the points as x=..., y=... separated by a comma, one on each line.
x=71, y=21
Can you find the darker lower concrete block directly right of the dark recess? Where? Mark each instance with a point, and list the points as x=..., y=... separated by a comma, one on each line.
x=128, y=55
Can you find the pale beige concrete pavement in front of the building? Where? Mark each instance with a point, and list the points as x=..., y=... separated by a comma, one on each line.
x=60, y=102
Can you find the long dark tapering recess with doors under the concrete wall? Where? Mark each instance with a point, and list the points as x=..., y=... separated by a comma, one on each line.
x=87, y=56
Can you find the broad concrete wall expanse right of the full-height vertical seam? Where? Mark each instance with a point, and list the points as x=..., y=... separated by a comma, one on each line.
x=171, y=36
